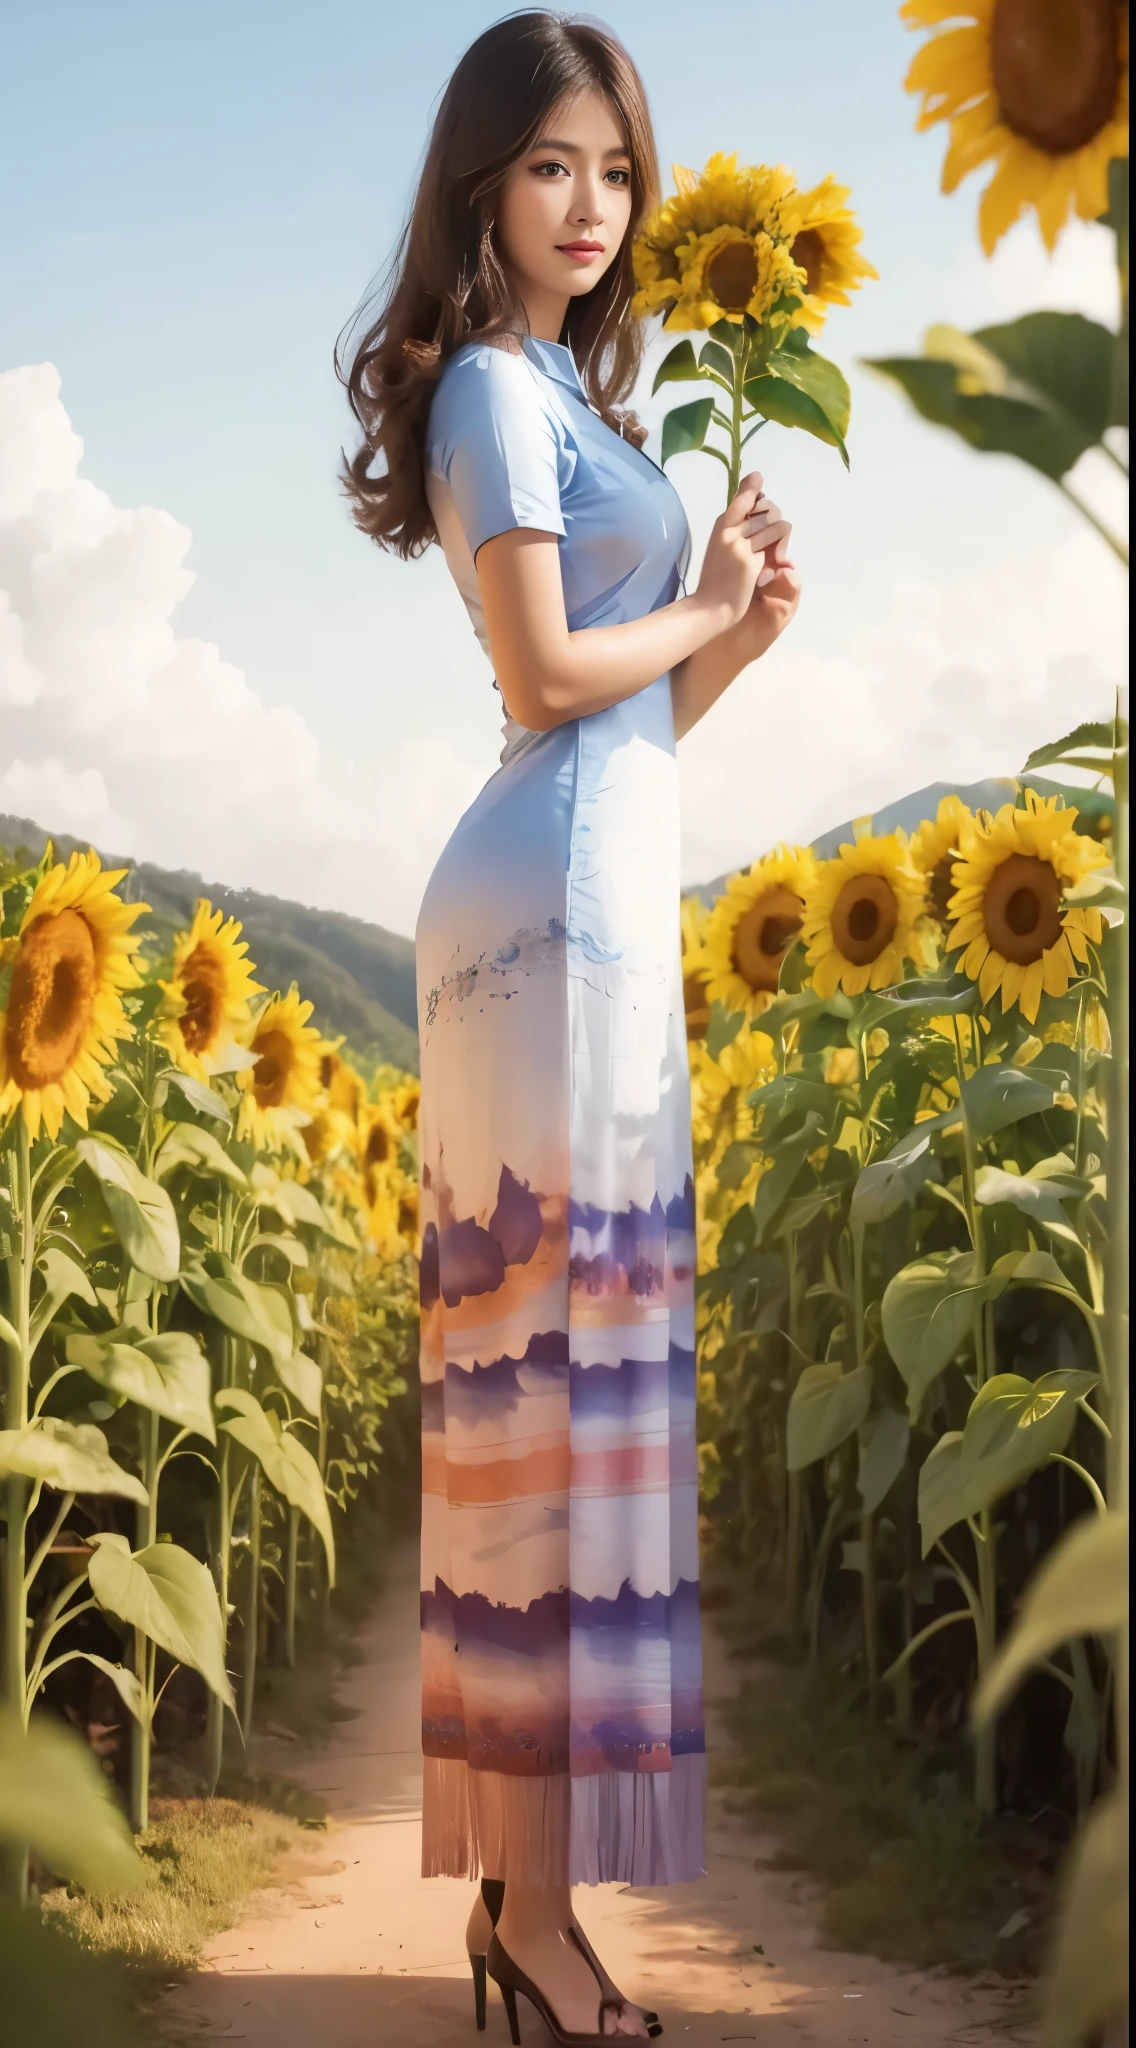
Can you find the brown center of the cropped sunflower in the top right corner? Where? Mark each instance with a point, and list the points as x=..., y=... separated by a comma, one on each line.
x=1055, y=69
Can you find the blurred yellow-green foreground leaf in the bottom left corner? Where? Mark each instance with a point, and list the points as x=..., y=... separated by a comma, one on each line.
x=56, y=1801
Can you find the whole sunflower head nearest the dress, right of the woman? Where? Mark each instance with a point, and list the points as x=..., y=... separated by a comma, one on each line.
x=750, y=929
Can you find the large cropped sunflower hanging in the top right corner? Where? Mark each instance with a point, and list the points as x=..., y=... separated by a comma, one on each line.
x=1035, y=87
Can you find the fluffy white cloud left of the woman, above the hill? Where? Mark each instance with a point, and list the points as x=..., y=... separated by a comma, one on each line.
x=152, y=742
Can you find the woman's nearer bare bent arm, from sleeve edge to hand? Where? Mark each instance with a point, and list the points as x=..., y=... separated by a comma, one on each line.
x=550, y=675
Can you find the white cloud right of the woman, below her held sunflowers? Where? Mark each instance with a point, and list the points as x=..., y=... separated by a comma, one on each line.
x=955, y=683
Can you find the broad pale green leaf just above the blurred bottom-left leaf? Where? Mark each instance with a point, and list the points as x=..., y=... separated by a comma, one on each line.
x=171, y=1596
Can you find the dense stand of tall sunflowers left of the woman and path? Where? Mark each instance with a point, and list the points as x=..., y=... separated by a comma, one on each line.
x=208, y=1302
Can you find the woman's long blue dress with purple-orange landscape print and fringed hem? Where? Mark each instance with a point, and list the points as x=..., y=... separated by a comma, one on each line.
x=562, y=1717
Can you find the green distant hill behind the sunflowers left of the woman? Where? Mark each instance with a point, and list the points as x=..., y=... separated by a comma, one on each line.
x=355, y=974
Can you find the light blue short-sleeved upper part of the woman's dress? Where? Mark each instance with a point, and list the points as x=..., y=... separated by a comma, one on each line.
x=513, y=441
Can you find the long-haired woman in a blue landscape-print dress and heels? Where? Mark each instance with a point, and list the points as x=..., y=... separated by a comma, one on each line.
x=560, y=1562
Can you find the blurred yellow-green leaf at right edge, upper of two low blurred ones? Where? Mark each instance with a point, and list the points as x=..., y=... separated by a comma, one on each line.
x=1082, y=1590
